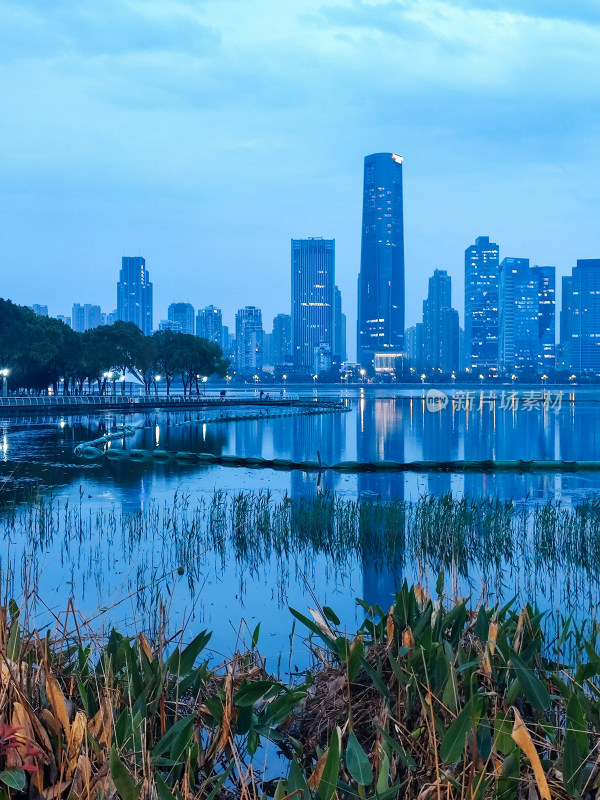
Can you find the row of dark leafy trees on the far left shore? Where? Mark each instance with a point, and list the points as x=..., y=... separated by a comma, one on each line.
x=40, y=351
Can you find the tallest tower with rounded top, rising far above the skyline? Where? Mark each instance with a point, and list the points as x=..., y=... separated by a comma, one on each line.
x=381, y=279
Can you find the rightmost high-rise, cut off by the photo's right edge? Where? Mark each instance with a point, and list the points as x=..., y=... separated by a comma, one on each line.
x=580, y=317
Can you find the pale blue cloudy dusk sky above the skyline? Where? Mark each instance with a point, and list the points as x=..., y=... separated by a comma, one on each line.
x=205, y=135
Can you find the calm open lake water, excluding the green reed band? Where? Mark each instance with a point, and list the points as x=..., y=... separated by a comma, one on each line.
x=99, y=567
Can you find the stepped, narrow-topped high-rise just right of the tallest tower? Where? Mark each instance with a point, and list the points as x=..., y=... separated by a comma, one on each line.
x=440, y=325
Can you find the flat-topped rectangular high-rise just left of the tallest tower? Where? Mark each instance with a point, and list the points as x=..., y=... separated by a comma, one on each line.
x=313, y=278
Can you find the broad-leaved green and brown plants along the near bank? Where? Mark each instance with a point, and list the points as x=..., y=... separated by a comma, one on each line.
x=428, y=699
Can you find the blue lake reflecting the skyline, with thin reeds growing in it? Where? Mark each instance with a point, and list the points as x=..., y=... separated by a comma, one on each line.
x=101, y=530
